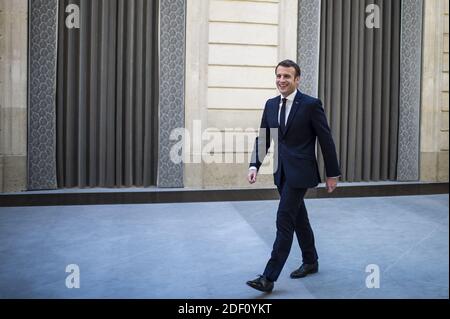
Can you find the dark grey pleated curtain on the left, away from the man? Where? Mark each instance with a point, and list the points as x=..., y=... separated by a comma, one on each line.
x=107, y=94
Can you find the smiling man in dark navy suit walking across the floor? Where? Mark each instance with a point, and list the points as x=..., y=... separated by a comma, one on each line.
x=299, y=119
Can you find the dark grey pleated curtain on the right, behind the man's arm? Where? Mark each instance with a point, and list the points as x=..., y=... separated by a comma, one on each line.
x=359, y=85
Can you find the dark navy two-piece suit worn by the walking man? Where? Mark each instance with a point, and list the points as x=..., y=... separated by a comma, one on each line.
x=297, y=170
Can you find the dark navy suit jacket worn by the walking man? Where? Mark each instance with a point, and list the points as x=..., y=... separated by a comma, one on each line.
x=295, y=149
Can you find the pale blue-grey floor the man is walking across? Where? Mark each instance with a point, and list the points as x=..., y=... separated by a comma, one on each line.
x=209, y=250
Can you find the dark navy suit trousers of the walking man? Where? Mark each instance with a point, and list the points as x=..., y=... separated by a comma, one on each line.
x=291, y=217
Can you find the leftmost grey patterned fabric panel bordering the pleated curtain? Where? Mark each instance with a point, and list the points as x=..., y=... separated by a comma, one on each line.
x=41, y=94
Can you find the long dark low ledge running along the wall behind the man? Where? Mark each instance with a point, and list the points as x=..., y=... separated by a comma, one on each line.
x=158, y=195
